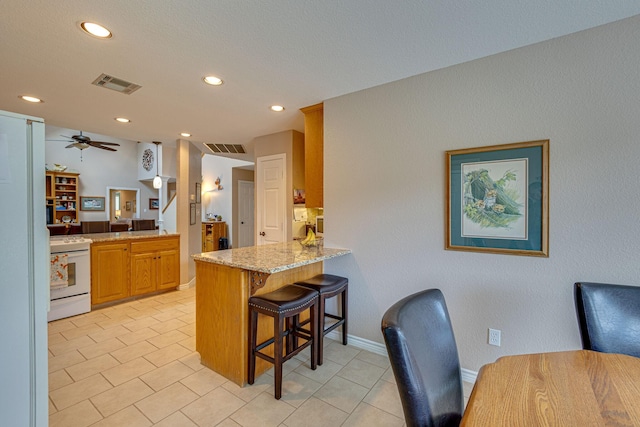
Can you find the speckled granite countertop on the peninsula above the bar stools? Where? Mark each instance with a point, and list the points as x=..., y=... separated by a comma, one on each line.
x=271, y=258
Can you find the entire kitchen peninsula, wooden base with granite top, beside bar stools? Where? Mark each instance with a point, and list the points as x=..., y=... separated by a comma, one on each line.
x=224, y=282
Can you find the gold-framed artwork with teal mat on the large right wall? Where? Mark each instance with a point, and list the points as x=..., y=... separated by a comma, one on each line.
x=498, y=199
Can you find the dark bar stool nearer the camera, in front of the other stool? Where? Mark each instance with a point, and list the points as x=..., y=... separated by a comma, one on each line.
x=285, y=306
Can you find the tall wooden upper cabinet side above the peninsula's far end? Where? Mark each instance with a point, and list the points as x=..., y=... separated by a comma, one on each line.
x=314, y=155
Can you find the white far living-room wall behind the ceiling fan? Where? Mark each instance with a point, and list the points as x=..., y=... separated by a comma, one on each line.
x=100, y=169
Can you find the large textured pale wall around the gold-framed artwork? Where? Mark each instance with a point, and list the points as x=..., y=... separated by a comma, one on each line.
x=385, y=165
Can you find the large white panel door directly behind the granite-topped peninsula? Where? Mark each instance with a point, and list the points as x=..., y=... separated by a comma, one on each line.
x=270, y=212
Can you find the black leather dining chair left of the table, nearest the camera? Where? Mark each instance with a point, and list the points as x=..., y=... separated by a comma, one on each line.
x=424, y=357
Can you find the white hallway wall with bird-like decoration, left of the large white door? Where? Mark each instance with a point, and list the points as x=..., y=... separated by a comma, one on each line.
x=219, y=202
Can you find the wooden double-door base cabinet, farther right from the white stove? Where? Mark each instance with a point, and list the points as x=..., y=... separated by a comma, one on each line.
x=155, y=265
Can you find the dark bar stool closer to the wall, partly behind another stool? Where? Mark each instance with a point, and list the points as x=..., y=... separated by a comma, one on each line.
x=328, y=286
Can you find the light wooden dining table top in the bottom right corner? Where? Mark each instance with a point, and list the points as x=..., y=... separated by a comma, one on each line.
x=569, y=388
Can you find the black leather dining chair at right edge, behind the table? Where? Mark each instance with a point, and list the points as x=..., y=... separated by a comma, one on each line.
x=609, y=317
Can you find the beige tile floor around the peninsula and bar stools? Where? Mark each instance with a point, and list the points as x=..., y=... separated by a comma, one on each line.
x=135, y=364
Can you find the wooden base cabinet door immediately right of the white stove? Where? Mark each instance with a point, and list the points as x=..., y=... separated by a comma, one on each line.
x=109, y=272
